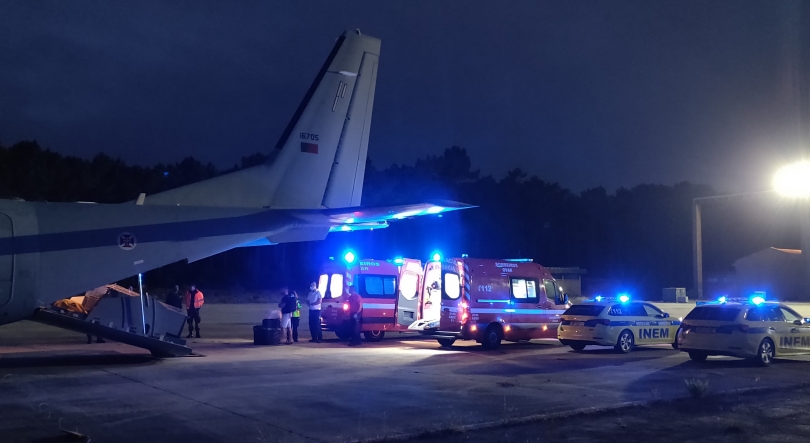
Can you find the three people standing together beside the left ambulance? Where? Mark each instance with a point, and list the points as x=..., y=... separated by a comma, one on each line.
x=291, y=312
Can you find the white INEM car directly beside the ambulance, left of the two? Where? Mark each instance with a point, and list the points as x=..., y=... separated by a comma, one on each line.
x=620, y=323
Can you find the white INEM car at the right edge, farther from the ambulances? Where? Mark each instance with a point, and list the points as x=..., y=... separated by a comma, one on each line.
x=754, y=329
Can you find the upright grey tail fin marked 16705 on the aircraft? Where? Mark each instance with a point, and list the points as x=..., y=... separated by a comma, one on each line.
x=320, y=158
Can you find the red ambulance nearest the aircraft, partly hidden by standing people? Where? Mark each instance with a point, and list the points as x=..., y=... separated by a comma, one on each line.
x=390, y=291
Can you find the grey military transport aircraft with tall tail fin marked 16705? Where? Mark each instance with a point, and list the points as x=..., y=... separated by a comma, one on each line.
x=311, y=185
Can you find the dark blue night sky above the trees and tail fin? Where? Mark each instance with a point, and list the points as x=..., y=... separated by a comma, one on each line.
x=581, y=93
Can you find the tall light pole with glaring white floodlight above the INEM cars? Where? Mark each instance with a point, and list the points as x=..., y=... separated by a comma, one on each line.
x=791, y=181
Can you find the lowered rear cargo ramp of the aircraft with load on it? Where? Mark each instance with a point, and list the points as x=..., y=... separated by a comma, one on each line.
x=116, y=315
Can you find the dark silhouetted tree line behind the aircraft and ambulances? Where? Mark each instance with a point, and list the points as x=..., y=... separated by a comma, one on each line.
x=636, y=239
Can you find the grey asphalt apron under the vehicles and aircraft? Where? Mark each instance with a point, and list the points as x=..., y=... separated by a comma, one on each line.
x=50, y=381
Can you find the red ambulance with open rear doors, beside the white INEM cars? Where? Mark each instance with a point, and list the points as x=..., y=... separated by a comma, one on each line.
x=488, y=301
